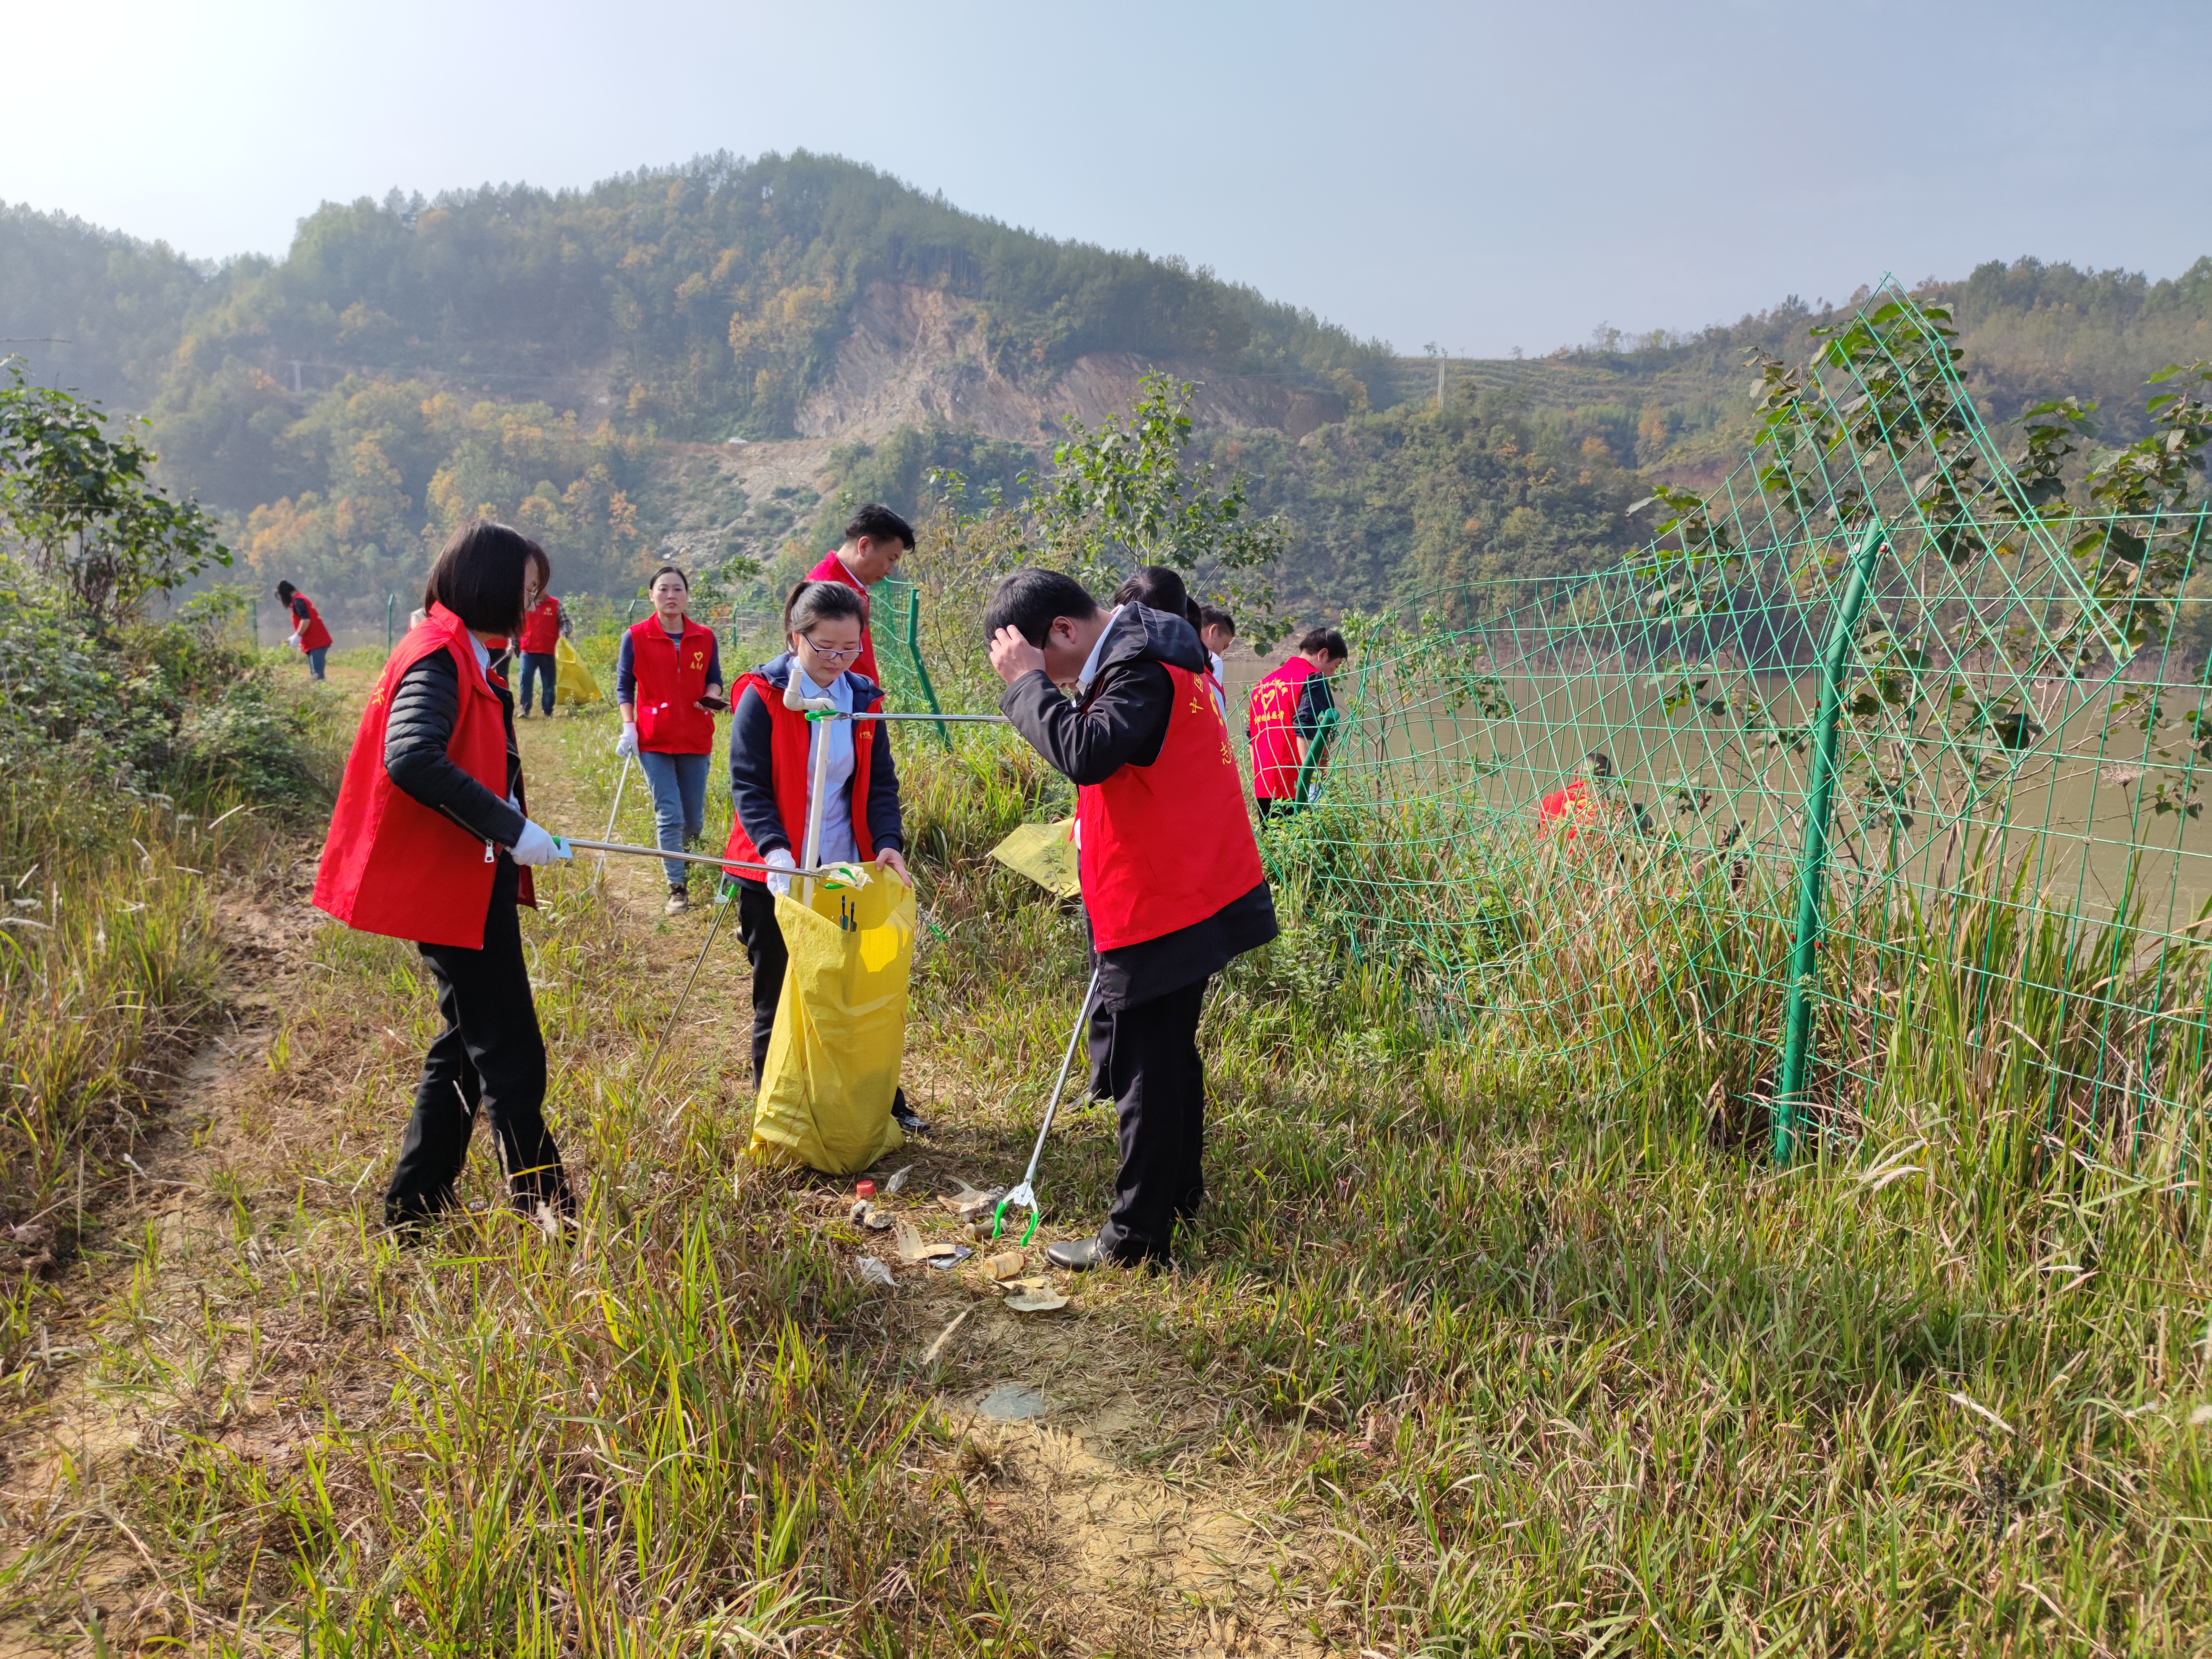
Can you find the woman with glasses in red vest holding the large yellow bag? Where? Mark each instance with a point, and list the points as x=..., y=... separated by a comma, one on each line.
x=773, y=769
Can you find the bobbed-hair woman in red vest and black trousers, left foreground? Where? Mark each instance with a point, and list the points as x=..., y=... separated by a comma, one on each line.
x=432, y=844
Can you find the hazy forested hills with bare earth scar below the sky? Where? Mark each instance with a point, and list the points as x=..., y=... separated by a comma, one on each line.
x=583, y=362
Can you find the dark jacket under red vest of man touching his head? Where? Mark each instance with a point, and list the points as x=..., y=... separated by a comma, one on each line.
x=1123, y=722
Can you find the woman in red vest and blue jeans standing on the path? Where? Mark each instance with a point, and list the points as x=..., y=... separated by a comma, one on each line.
x=669, y=689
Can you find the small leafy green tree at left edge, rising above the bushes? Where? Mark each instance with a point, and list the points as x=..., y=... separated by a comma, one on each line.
x=79, y=503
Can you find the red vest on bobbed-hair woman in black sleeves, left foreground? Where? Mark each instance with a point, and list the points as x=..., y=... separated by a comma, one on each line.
x=390, y=864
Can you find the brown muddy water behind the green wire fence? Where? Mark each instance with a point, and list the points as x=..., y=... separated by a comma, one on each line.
x=2076, y=811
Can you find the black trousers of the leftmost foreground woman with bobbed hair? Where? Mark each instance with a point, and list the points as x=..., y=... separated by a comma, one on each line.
x=490, y=1056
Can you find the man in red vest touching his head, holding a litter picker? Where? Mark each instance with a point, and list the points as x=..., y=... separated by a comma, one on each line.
x=1173, y=886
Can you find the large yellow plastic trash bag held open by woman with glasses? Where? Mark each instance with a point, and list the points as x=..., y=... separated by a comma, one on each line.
x=842, y=1027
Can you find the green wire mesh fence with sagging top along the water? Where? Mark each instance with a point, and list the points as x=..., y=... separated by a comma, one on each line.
x=1881, y=758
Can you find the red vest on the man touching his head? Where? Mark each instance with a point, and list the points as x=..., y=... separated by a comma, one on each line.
x=1167, y=844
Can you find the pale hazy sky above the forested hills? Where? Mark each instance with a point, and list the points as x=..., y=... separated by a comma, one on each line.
x=1481, y=176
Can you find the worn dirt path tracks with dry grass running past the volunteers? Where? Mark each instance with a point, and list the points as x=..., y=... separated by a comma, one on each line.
x=236, y=1315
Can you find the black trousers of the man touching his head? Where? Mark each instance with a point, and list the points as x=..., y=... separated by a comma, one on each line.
x=1160, y=1085
